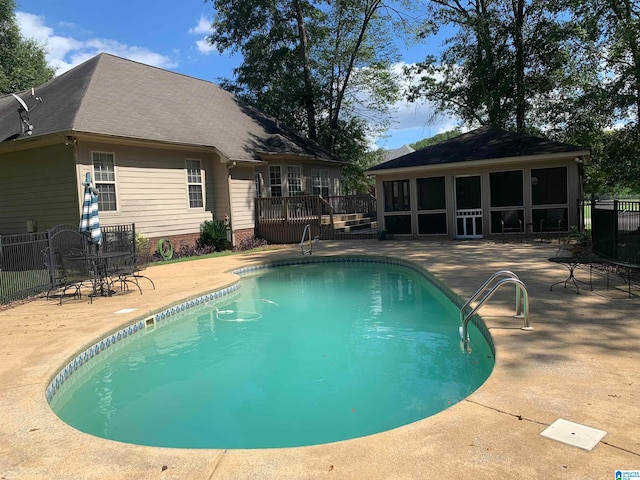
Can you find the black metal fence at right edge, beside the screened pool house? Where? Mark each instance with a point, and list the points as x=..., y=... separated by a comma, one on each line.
x=615, y=229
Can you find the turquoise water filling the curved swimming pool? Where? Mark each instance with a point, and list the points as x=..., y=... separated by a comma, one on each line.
x=300, y=355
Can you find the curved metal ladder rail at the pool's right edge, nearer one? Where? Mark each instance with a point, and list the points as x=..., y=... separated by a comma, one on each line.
x=486, y=291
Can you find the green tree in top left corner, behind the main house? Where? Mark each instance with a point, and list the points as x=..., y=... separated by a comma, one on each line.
x=22, y=61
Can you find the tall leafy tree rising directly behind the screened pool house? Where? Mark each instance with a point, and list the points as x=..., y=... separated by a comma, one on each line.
x=507, y=62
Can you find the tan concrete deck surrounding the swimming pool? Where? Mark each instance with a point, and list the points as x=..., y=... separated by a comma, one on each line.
x=580, y=363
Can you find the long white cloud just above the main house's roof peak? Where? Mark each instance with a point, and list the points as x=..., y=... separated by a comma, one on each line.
x=64, y=53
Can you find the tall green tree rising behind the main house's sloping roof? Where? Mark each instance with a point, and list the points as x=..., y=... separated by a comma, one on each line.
x=315, y=65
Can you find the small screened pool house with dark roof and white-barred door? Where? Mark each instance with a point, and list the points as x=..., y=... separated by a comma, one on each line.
x=480, y=184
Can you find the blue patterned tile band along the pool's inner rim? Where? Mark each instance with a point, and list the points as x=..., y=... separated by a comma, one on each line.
x=67, y=376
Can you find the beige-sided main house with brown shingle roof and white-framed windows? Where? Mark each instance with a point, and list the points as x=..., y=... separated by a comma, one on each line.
x=165, y=151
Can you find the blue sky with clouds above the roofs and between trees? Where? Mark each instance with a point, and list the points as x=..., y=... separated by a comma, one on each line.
x=171, y=34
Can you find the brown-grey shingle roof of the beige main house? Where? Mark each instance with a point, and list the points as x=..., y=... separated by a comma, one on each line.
x=109, y=95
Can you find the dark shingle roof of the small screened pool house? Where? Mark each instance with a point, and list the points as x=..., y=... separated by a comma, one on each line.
x=485, y=143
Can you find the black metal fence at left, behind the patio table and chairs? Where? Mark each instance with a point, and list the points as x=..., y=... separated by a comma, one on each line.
x=25, y=264
